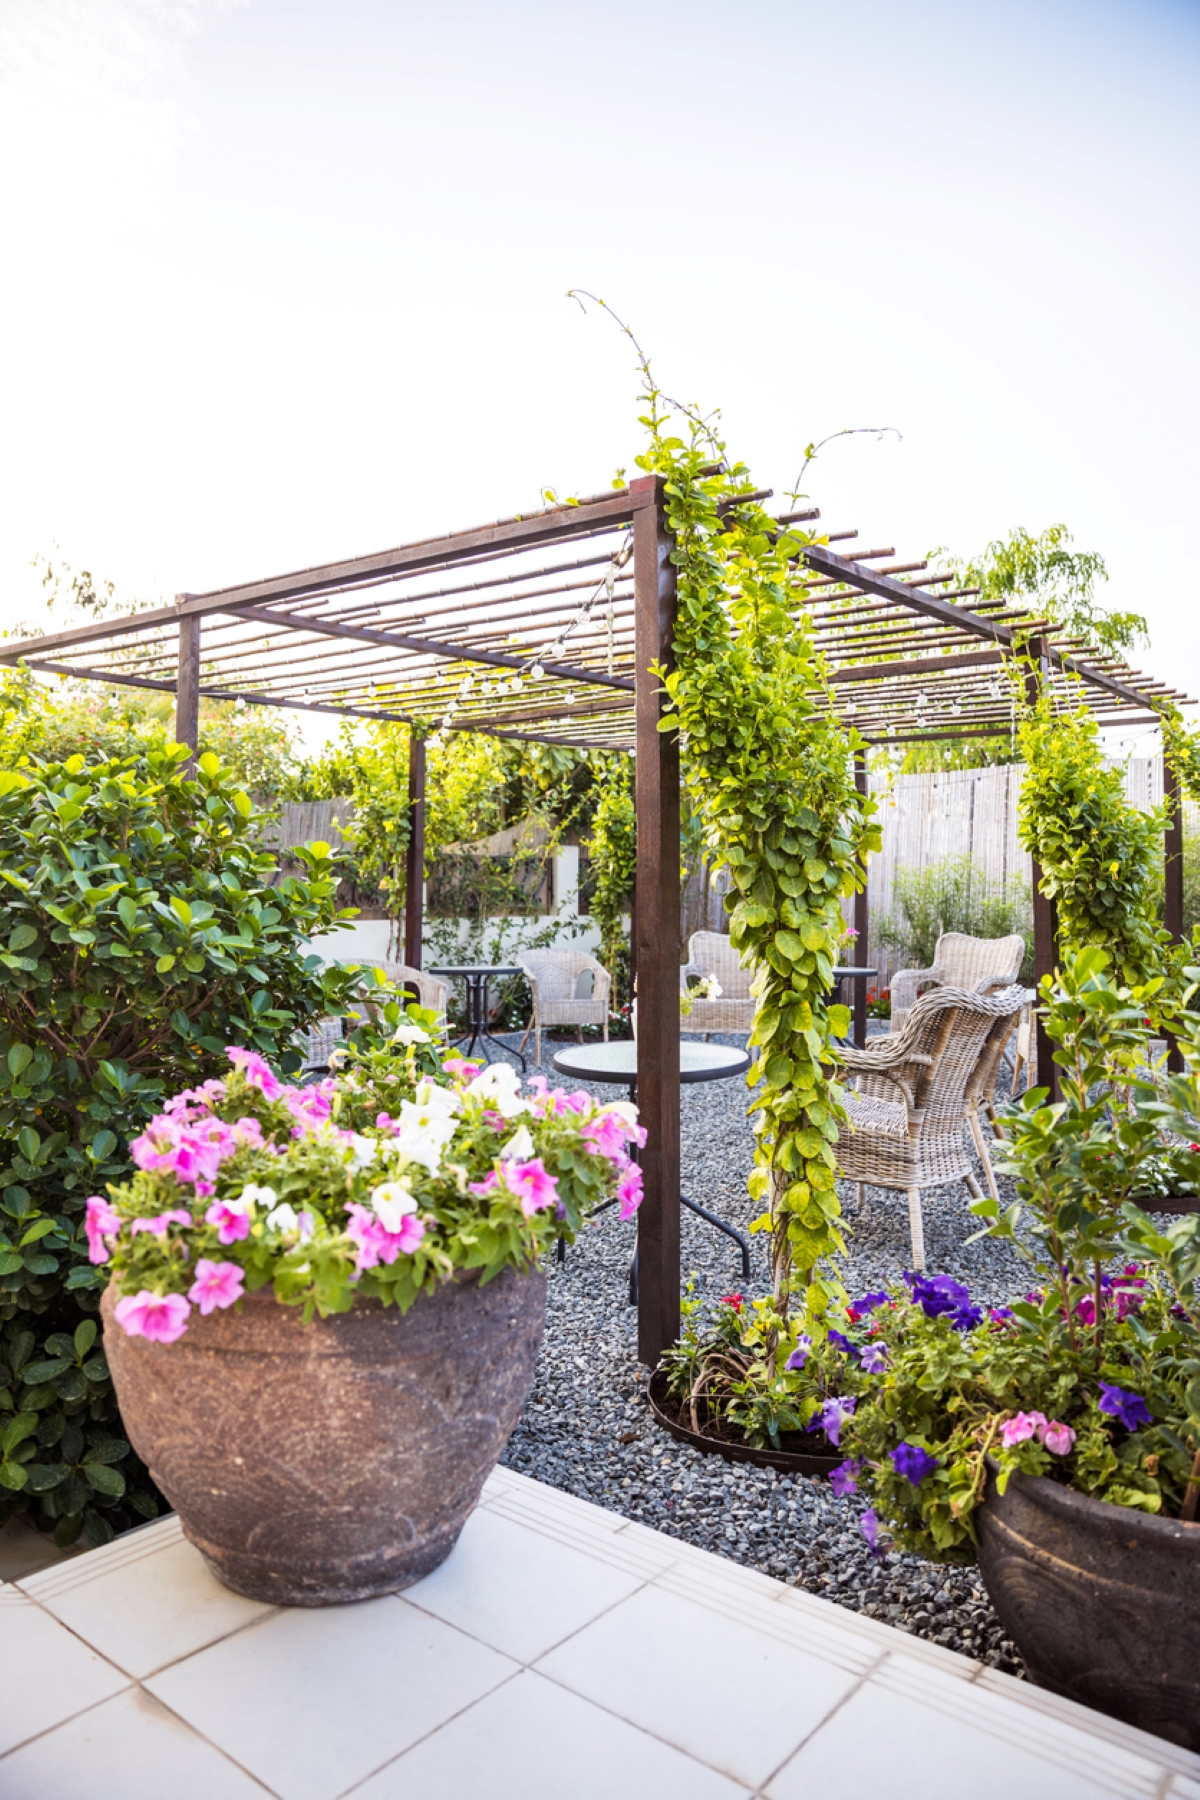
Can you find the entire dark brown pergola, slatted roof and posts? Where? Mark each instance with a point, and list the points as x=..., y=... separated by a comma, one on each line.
x=544, y=629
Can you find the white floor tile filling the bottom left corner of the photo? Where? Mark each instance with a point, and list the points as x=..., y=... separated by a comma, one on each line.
x=130, y=1749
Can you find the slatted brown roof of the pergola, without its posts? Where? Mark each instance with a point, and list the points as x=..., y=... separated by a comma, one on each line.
x=526, y=629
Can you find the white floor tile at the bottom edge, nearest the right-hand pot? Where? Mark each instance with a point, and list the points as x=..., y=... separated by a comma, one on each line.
x=924, y=1736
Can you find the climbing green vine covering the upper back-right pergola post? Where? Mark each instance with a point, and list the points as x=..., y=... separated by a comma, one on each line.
x=1100, y=856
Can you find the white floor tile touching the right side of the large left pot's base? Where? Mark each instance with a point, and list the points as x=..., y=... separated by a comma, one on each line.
x=519, y=1590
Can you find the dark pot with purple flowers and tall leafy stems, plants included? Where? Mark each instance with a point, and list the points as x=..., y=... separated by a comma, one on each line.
x=1057, y=1439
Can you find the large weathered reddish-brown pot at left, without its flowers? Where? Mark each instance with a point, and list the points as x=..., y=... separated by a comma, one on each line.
x=336, y=1461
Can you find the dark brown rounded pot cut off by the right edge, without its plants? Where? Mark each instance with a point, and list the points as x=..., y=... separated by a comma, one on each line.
x=1102, y=1601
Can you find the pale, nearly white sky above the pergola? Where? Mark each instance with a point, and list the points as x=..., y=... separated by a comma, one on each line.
x=285, y=280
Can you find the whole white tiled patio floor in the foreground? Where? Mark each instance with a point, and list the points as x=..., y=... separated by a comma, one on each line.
x=562, y=1653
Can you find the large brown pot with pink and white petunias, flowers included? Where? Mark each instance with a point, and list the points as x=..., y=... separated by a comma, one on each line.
x=327, y=1304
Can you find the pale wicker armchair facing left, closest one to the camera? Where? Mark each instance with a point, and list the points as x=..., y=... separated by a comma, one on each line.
x=915, y=1095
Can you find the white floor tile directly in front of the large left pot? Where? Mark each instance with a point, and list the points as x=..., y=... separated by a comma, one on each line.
x=314, y=1700
